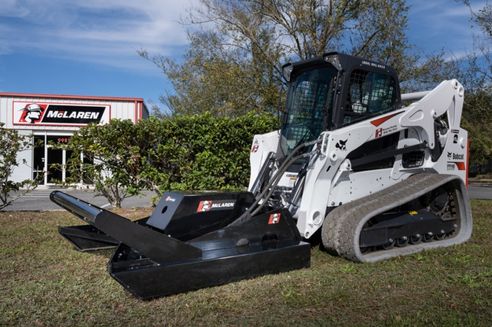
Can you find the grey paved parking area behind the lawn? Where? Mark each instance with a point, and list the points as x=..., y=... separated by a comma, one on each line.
x=39, y=200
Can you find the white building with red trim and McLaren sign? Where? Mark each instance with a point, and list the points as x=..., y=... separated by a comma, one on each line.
x=52, y=119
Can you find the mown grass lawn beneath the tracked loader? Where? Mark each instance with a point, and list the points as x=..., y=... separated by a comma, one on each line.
x=43, y=281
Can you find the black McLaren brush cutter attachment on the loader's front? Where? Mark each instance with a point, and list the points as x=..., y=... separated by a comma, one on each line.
x=189, y=242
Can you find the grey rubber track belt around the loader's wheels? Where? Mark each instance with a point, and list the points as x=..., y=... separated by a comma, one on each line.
x=342, y=226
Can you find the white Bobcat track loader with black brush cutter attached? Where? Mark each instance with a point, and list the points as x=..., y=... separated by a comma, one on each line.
x=377, y=179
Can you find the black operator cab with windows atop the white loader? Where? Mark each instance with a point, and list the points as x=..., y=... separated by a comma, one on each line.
x=334, y=91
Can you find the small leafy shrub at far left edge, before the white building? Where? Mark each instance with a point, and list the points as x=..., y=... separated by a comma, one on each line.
x=10, y=144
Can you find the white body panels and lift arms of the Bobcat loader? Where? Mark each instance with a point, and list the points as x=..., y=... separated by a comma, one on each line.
x=330, y=178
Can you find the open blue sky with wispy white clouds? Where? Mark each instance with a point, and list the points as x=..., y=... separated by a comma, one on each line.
x=89, y=47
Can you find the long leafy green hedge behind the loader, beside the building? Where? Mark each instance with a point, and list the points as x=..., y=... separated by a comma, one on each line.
x=199, y=152
